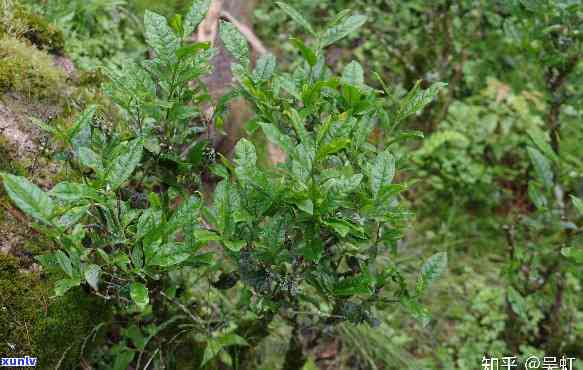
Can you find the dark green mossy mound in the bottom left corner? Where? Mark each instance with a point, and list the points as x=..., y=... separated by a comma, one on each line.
x=33, y=324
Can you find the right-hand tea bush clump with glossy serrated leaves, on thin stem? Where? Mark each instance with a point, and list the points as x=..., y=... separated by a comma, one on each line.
x=322, y=223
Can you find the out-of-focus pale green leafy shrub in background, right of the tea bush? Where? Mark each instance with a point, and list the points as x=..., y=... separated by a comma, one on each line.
x=473, y=156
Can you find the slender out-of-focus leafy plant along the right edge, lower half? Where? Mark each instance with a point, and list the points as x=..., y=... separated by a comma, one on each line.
x=544, y=256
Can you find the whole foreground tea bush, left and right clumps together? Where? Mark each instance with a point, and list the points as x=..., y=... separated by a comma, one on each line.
x=312, y=241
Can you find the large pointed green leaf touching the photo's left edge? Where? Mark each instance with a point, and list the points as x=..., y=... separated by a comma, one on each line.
x=28, y=197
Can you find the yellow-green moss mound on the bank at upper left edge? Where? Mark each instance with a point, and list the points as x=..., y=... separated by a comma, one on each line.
x=27, y=70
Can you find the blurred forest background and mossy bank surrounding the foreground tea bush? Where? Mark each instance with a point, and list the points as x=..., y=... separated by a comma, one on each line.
x=499, y=175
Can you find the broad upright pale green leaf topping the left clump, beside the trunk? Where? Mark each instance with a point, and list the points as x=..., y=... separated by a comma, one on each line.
x=160, y=37
